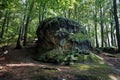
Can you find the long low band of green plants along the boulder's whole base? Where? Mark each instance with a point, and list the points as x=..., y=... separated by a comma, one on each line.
x=71, y=57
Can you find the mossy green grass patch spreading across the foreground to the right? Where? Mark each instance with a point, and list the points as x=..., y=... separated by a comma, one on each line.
x=78, y=72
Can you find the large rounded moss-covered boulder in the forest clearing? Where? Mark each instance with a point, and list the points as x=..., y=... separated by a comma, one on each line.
x=59, y=37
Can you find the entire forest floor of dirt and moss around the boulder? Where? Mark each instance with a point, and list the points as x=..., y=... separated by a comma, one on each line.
x=19, y=65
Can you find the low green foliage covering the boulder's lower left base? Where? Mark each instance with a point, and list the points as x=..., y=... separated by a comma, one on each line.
x=54, y=56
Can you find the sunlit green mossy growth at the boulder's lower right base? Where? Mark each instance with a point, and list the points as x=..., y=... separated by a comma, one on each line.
x=82, y=58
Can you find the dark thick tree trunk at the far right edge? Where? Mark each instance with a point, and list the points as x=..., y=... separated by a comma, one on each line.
x=116, y=24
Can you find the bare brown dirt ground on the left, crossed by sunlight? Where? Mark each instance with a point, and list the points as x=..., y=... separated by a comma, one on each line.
x=19, y=65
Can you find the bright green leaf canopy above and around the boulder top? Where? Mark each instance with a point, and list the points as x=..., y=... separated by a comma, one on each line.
x=82, y=11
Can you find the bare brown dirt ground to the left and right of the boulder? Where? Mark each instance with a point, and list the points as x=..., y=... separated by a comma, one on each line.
x=19, y=65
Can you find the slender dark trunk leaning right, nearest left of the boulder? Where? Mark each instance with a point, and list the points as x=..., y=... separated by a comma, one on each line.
x=27, y=22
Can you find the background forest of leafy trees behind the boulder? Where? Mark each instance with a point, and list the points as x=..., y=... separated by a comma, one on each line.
x=19, y=18
